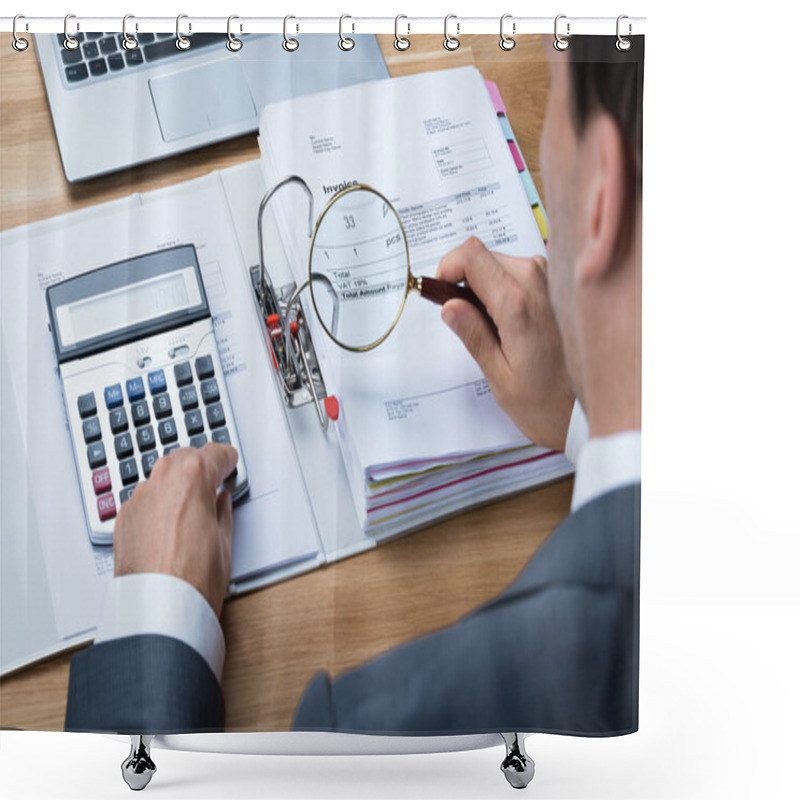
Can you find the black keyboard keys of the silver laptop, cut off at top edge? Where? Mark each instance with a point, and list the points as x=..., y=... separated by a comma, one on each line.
x=101, y=54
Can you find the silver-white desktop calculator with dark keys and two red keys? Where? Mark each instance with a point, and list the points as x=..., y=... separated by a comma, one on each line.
x=141, y=375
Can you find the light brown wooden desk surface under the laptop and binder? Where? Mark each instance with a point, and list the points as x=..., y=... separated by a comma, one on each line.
x=336, y=617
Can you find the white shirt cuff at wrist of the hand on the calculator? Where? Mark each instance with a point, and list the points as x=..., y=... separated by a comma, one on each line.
x=152, y=603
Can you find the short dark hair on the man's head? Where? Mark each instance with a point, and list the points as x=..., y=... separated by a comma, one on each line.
x=606, y=80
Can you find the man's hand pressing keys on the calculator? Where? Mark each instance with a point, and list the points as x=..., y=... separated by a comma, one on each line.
x=176, y=523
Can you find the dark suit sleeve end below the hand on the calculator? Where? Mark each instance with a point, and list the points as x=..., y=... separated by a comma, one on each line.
x=146, y=684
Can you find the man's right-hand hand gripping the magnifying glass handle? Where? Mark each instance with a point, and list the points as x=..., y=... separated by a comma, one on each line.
x=523, y=361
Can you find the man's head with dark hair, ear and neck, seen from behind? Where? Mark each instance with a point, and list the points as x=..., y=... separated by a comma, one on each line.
x=591, y=154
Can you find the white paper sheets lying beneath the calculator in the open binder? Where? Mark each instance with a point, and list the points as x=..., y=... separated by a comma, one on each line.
x=270, y=527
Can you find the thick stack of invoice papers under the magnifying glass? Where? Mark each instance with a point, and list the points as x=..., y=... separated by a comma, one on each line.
x=420, y=432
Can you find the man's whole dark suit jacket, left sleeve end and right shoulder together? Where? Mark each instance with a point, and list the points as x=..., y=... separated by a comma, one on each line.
x=557, y=652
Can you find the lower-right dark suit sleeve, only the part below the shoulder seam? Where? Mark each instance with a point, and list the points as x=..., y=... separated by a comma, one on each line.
x=555, y=660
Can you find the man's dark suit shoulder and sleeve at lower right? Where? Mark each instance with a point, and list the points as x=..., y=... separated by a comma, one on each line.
x=557, y=652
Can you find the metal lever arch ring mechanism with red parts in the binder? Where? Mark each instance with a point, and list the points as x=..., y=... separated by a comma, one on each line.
x=291, y=348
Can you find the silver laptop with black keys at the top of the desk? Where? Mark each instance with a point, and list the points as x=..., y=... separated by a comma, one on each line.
x=114, y=108
